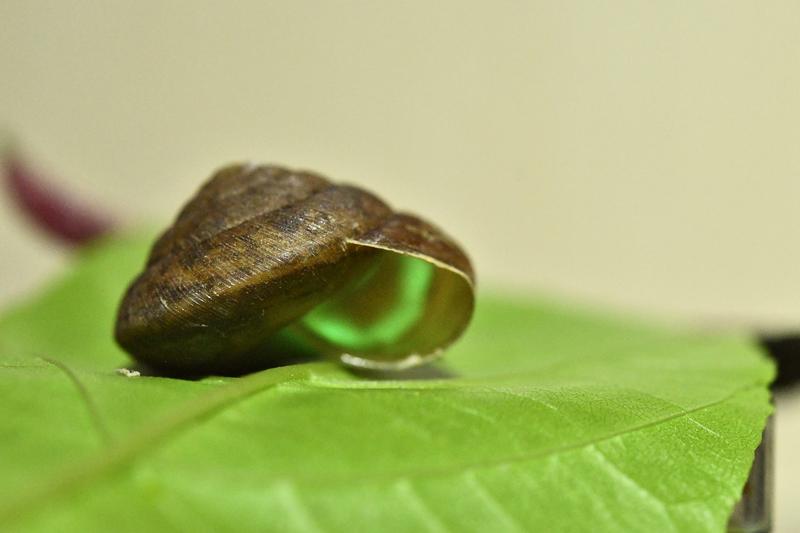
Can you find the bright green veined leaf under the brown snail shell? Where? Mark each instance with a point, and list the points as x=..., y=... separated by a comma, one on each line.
x=543, y=418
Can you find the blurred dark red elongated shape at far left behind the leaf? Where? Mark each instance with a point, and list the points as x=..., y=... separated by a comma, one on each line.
x=55, y=212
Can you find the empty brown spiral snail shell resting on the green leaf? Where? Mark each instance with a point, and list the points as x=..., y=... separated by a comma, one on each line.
x=265, y=262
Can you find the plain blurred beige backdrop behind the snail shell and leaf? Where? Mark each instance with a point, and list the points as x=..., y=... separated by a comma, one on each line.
x=638, y=155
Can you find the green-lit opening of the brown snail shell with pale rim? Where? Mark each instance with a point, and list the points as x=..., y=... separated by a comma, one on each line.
x=402, y=311
